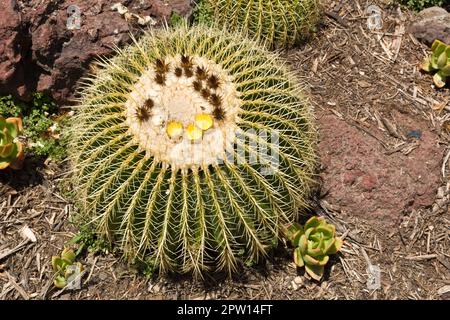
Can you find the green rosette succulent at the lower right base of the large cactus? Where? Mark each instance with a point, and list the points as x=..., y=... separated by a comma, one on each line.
x=313, y=243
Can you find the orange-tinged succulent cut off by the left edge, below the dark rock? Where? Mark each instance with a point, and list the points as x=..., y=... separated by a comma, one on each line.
x=11, y=150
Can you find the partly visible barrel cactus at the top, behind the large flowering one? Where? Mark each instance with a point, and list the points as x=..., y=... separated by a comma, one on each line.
x=277, y=22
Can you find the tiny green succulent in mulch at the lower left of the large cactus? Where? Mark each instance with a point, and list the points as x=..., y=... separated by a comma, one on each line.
x=64, y=267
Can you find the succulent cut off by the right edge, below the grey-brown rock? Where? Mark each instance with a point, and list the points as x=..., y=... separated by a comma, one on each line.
x=438, y=62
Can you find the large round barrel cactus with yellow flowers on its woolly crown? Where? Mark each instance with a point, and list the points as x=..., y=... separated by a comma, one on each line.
x=166, y=146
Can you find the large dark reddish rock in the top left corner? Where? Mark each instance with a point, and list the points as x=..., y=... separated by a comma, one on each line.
x=59, y=57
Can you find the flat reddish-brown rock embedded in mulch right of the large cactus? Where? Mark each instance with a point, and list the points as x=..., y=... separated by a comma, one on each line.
x=363, y=180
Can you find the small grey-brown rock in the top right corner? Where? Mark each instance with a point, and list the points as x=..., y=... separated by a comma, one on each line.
x=431, y=24
